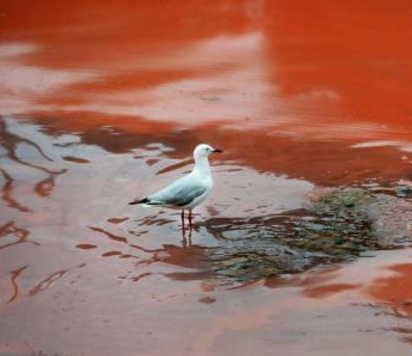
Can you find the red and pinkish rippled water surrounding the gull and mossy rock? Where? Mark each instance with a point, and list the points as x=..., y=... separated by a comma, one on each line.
x=101, y=101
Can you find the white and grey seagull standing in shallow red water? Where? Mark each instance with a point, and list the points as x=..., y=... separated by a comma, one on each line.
x=189, y=191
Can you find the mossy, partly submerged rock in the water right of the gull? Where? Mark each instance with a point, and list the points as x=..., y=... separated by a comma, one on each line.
x=339, y=225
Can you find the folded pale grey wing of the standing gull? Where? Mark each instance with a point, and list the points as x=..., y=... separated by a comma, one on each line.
x=180, y=193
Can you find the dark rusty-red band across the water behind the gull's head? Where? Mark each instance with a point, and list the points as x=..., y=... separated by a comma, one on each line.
x=322, y=162
